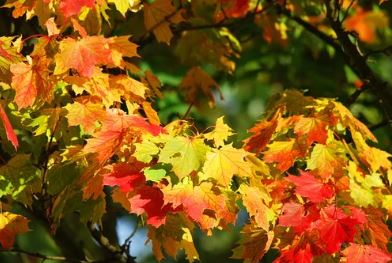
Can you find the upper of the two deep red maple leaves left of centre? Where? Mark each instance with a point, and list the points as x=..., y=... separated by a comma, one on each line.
x=127, y=176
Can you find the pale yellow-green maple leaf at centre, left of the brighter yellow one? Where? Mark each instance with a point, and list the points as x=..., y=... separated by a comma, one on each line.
x=184, y=154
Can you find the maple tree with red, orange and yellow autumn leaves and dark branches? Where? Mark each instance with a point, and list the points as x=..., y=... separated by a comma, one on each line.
x=82, y=134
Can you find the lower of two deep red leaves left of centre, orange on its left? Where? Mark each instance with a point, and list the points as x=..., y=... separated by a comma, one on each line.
x=149, y=200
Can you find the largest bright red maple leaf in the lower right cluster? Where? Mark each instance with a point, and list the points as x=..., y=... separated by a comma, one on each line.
x=334, y=228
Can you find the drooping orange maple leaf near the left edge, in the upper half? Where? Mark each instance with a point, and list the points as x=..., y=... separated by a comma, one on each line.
x=29, y=81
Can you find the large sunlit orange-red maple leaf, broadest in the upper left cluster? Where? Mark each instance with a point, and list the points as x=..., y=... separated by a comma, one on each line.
x=82, y=55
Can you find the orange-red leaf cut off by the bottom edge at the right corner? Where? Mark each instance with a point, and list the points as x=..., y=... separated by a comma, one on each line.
x=357, y=253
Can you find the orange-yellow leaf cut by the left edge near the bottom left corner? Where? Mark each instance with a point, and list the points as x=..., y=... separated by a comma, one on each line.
x=10, y=226
